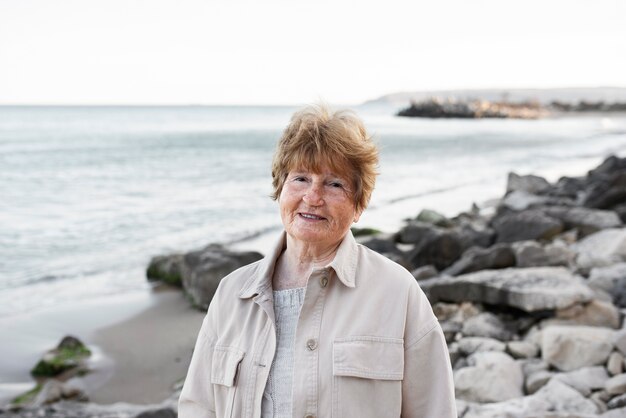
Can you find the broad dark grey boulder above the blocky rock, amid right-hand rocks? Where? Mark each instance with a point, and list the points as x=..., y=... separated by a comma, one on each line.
x=527, y=225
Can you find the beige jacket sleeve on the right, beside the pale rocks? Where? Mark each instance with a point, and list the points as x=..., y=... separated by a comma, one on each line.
x=428, y=384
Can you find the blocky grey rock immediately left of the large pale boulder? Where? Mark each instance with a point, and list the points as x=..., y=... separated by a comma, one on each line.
x=533, y=254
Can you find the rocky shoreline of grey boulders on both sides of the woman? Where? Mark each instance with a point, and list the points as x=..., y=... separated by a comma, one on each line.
x=531, y=298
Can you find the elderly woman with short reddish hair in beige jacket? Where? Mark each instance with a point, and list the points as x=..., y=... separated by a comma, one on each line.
x=322, y=326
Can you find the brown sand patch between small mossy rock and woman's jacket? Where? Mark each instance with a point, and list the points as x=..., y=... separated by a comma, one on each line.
x=150, y=351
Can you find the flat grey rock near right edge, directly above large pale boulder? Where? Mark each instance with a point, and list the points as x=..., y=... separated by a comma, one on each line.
x=586, y=220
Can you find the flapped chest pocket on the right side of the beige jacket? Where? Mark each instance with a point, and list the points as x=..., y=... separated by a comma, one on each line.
x=367, y=377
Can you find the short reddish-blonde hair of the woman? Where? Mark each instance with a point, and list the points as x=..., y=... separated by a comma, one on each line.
x=317, y=136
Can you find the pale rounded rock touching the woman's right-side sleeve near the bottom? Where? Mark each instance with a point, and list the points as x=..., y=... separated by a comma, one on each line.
x=491, y=377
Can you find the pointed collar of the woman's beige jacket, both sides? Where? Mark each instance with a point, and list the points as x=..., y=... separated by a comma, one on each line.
x=344, y=265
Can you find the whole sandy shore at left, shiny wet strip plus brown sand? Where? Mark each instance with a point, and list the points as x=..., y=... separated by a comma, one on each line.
x=141, y=344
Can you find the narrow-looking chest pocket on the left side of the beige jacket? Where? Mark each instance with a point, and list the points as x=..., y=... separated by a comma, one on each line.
x=225, y=366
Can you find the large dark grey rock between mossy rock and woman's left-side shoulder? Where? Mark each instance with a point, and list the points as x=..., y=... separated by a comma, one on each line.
x=203, y=270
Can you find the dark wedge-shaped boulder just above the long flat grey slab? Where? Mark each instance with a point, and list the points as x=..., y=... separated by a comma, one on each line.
x=476, y=258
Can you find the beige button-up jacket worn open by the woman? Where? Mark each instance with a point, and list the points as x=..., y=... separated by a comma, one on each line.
x=367, y=344
